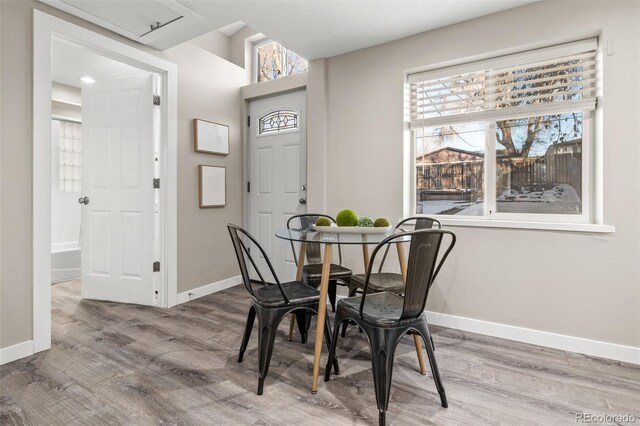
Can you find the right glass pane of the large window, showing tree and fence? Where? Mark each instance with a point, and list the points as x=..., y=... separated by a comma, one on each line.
x=539, y=164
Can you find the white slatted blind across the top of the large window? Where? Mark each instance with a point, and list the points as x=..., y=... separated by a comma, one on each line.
x=536, y=82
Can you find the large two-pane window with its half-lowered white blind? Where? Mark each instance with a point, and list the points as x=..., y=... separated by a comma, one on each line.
x=505, y=138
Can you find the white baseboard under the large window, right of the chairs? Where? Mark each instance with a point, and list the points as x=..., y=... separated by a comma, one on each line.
x=563, y=342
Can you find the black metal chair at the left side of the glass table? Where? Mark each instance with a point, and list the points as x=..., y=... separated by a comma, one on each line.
x=270, y=302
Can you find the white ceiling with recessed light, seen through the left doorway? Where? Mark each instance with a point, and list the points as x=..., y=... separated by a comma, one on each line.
x=70, y=62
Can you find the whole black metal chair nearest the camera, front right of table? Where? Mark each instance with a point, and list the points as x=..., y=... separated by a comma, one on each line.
x=385, y=317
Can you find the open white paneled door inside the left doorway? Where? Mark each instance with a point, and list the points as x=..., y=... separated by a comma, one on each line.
x=118, y=164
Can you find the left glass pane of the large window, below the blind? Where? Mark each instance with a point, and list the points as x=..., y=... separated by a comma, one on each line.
x=450, y=170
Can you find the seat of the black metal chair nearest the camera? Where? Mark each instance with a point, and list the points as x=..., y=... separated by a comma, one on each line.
x=379, y=308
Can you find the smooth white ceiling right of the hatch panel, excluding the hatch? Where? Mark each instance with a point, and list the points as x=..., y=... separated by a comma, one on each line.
x=323, y=28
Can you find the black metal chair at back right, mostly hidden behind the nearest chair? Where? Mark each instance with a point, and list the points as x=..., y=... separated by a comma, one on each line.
x=388, y=281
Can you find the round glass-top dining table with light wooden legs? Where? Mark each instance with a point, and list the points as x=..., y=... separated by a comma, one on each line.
x=328, y=239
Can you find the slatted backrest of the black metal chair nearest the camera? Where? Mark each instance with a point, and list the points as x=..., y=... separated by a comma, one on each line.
x=422, y=266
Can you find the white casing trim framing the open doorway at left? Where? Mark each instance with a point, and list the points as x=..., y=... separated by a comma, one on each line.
x=45, y=28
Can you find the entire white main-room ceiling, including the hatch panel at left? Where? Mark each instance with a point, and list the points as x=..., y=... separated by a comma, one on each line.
x=312, y=28
